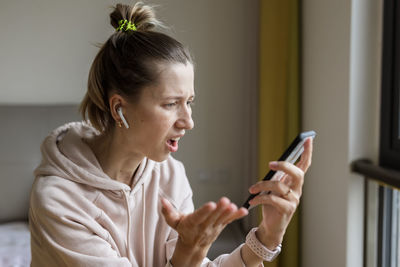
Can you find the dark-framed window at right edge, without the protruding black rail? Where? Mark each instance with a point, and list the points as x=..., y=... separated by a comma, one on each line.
x=389, y=204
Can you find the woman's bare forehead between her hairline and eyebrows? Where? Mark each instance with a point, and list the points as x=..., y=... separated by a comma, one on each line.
x=175, y=79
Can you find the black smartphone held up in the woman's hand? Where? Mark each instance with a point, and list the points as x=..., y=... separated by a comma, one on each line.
x=291, y=154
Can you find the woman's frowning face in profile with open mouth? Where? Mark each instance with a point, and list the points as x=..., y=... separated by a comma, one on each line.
x=162, y=114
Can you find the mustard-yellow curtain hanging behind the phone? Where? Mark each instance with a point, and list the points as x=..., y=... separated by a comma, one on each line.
x=279, y=98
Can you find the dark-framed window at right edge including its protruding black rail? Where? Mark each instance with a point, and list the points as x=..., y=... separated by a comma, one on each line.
x=382, y=199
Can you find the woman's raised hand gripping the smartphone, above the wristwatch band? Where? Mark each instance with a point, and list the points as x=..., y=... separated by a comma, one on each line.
x=279, y=206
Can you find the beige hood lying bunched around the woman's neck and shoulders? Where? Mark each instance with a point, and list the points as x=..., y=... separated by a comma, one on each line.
x=66, y=155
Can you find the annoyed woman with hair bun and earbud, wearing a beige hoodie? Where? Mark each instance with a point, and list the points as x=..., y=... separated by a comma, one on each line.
x=108, y=193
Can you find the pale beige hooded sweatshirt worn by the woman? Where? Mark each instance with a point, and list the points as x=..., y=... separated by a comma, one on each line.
x=81, y=217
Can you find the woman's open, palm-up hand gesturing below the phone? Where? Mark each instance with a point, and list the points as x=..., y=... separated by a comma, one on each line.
x=198, y=230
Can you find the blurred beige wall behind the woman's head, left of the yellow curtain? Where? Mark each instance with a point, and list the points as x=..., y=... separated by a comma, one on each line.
x=48, y=48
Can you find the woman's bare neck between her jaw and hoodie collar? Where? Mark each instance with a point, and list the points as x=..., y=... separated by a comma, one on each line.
x=114, y=156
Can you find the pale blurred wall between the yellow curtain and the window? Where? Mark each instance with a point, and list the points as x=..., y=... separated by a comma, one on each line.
x=341, y=66
